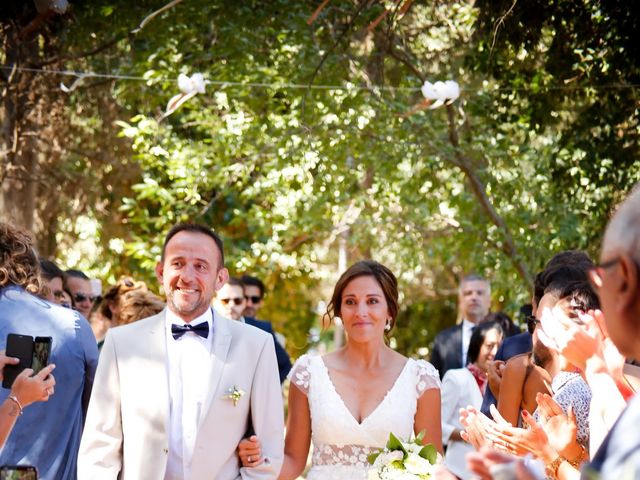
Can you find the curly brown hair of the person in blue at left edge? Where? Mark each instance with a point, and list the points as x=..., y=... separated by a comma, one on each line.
x=18, y=260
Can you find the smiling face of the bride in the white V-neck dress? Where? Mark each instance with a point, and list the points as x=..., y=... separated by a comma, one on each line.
x=364, y=311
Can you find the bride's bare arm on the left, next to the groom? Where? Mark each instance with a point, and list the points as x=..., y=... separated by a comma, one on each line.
x=298, y=439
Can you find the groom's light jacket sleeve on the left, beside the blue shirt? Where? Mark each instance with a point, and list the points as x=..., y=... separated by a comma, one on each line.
x=100, y=455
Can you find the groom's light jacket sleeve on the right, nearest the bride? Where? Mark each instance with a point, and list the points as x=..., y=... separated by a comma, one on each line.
x=267, y=415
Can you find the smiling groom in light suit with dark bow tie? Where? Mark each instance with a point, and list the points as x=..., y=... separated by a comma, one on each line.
x=176, y=392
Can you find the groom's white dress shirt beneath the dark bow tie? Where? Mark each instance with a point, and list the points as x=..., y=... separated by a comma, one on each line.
x=189, y=362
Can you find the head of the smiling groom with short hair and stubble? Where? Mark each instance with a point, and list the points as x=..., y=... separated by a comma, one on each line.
x=190, y=273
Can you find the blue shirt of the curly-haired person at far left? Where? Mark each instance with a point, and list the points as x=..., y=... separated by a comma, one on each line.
x=47, y=435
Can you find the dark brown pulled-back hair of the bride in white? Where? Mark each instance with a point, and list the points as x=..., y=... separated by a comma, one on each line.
x=366, y=268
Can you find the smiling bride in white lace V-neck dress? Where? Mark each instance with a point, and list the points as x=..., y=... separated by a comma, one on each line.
x=348, y=401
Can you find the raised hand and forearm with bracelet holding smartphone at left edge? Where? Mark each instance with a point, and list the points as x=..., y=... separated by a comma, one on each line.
x=24, y=391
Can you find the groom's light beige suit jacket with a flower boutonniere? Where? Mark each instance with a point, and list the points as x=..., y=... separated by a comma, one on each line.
x=126, y=434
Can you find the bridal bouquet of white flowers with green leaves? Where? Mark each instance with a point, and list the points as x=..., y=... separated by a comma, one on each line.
x=403, y=461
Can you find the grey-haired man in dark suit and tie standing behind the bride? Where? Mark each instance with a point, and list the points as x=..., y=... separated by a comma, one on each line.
x=450, y=346
